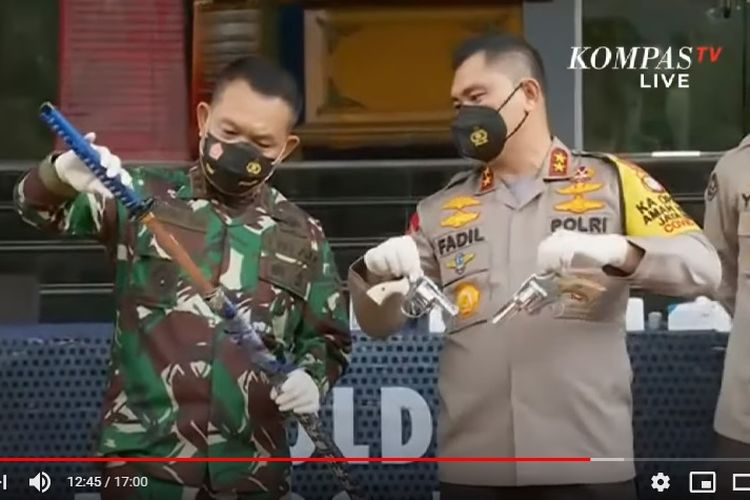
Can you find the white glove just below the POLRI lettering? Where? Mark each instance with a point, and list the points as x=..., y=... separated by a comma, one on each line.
x=565, y=249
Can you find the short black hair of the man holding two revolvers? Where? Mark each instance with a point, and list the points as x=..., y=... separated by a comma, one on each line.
x=496, y=46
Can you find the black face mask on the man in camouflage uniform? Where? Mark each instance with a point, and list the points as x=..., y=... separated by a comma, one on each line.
x=234, y=168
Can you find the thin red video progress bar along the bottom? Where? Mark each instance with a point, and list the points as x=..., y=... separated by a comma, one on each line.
x=295, y=459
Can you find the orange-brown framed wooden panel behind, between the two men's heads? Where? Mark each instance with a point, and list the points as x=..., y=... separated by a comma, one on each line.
x=377, y=74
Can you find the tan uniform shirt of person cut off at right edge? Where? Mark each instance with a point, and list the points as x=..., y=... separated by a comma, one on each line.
x=727, y=225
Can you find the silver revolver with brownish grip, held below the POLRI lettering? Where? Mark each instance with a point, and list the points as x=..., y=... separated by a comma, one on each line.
x=540, y=290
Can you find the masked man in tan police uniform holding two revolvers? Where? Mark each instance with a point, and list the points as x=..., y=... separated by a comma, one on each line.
x=558, y=383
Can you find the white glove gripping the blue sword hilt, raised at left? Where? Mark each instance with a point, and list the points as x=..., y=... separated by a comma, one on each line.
x=72, y=171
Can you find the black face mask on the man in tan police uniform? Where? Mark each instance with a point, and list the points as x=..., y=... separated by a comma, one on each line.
x=480, y=132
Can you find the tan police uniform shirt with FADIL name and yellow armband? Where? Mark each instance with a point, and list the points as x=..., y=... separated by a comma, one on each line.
x=555, y=384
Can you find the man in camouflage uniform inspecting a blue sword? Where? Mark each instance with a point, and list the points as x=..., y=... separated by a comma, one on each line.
x=178, y=385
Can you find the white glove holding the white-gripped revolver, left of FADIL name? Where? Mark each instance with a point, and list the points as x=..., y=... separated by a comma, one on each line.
x=396, y=257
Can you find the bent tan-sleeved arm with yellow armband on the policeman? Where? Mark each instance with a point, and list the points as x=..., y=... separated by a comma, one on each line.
x=676, y=257
